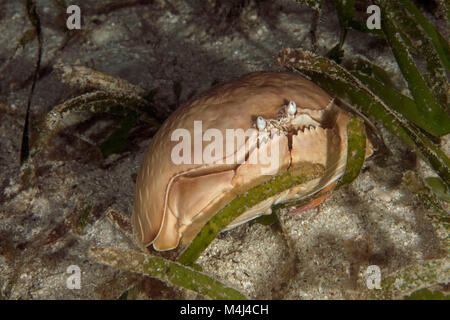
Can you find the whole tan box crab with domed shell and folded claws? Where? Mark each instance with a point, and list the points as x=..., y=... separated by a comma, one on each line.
x=173, y=201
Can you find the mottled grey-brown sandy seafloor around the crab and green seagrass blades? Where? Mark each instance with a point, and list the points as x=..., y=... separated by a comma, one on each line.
x=320, y=254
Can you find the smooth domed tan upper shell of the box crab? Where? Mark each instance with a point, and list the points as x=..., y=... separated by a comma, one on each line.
x=233, y=105
